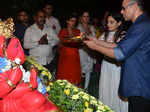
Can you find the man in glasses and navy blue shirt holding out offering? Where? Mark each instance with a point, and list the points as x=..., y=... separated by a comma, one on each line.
x=134, y=51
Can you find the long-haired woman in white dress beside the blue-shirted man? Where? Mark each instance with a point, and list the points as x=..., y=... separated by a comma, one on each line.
x=110, y=69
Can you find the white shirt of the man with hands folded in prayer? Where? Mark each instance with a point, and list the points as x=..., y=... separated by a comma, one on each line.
x=42, y=53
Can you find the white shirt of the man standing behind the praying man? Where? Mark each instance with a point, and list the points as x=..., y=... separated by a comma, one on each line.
x=53, y=23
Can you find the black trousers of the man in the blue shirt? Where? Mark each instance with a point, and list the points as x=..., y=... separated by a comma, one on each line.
x=138, y=104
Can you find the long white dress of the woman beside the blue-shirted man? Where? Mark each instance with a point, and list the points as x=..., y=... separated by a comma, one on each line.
x=109, y=82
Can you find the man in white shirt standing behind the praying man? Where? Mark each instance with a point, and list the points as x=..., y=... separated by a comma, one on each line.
x=50, y=20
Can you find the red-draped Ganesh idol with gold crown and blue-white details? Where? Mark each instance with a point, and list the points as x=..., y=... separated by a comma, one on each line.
x=17, y=95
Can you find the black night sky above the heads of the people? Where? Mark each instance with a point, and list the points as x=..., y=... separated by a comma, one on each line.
x=9, y=8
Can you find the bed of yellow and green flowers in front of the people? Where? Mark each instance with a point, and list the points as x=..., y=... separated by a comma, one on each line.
x=73, y=99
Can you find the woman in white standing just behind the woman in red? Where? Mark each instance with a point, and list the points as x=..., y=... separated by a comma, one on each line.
x=86, y=59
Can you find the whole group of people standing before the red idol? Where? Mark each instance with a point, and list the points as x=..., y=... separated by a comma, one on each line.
x=119, y=53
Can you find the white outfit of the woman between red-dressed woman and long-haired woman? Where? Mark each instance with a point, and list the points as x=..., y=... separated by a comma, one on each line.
x=86, y=60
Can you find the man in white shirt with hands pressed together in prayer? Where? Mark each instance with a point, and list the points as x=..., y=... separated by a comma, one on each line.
x=40, y=39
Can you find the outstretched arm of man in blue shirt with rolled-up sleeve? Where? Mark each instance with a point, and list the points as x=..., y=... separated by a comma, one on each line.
x=125, y=48
